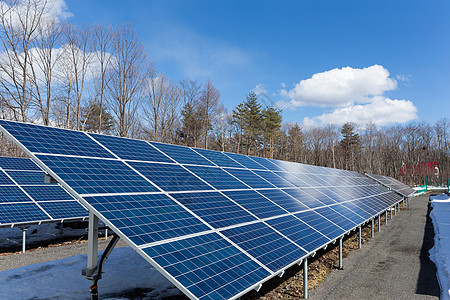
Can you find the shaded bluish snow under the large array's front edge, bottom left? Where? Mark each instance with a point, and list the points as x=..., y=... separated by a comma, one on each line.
x=124, y=271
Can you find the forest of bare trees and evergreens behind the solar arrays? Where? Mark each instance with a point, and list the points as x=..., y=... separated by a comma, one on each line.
x=99, y=78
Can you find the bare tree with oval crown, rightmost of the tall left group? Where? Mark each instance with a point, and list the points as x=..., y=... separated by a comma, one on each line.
x=127, y=76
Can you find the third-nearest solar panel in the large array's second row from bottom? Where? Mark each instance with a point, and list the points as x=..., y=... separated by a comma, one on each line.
x=256, y=203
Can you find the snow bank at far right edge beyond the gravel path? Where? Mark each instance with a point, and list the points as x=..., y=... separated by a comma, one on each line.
x=440, y=253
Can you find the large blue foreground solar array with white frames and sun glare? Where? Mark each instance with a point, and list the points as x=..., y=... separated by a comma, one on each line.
x=215, y=224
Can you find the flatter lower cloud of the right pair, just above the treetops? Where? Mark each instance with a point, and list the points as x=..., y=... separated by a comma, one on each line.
x=381, y=111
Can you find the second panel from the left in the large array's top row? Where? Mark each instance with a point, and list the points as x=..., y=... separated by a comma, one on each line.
x=131, y=149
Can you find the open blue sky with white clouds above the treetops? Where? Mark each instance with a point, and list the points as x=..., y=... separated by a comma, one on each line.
x=383, y=61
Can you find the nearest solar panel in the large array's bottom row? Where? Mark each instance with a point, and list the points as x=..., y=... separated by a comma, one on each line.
x=208, y=266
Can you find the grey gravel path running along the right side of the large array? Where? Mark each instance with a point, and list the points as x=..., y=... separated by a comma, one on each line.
x=393, y=265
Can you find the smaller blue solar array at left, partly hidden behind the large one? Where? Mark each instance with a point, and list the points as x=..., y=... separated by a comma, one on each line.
x=25, y=198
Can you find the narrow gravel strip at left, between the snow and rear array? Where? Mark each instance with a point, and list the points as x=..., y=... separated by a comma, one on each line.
x=18, y=260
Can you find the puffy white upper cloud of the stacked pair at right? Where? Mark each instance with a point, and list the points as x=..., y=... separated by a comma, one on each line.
x=339, y=87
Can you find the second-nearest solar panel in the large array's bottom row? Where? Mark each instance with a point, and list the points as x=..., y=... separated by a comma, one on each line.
x=266, y=245
